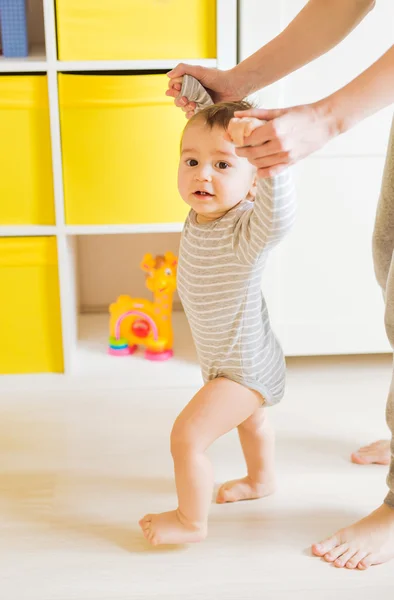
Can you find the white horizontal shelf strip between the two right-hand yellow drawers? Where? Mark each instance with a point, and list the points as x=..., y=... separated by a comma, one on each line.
x=130, y=65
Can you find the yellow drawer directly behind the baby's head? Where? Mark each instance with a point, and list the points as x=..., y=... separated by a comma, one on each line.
x=120, y=142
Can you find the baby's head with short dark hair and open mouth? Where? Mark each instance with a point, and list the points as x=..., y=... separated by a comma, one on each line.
x=212, y=179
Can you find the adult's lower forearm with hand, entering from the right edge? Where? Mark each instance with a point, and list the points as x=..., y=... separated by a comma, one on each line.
x=290, y=134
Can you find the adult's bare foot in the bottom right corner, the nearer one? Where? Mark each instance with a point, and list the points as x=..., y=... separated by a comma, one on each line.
x=366, y=543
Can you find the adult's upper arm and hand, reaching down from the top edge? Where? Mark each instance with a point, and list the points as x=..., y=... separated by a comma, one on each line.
x=320, y=26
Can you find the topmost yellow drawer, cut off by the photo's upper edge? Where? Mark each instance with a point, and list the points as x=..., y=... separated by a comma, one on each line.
x=136, y=29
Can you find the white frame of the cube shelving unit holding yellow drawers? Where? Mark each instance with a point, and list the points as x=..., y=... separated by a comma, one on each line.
x=87, y=349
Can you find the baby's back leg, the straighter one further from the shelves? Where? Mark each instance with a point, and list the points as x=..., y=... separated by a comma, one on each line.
x=258, y=445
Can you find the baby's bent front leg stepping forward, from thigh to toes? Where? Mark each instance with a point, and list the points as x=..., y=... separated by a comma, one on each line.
x=217, y=408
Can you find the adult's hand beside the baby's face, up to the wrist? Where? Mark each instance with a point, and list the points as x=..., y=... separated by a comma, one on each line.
x=289, y=135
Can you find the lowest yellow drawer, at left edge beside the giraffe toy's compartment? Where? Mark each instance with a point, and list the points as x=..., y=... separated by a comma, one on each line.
x=31, y=340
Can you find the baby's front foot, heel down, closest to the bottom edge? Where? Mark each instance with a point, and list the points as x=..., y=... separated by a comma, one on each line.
x=168, y=528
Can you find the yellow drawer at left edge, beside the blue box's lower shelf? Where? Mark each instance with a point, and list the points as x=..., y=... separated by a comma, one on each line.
x=26, y=186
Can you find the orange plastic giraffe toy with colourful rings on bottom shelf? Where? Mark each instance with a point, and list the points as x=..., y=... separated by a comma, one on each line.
x=137, y=321
